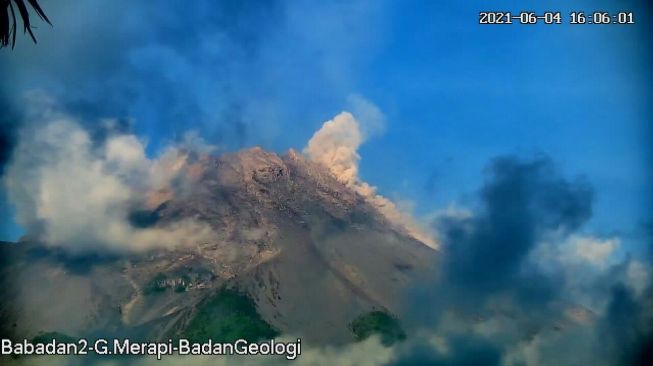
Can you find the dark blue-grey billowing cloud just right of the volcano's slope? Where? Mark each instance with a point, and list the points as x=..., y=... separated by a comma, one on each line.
x=522, y=202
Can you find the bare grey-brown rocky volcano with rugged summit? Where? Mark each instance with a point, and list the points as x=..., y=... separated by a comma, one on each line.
x=309, y=253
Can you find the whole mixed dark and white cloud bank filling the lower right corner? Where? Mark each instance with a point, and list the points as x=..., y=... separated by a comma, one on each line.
x=521, y=284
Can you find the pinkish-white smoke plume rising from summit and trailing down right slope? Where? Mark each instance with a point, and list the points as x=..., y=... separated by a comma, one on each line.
x=335, y=145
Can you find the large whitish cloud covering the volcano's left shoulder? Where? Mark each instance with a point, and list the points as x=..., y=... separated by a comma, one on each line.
x=70, y=193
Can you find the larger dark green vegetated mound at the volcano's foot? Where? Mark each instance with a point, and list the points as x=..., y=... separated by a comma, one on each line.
x=227, y=317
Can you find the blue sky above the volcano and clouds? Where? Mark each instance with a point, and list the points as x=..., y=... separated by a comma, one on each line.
x=455, y=94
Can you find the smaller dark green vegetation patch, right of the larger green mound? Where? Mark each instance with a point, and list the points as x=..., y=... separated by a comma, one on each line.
x=378, y=322
